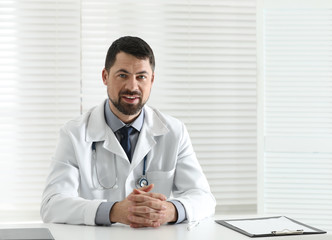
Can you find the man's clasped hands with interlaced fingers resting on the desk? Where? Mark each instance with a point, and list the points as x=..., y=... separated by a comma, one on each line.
x=144, y=209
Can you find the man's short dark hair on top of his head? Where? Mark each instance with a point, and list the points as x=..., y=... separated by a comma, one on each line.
x=132, y=45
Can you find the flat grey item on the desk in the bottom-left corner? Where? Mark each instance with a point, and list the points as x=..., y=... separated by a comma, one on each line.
x=26, y=234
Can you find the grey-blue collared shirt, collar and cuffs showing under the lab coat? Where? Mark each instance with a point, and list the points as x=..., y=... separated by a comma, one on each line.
x=104, y=209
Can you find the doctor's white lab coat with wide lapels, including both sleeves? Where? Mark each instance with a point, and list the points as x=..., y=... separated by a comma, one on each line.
x=72, y=193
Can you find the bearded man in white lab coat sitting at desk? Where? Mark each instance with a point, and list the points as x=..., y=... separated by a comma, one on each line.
x=105, y=158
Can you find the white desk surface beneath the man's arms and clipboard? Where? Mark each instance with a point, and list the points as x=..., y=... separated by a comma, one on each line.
x=205, y=230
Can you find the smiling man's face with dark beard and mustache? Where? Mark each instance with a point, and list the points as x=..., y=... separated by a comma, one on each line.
x=129, y=83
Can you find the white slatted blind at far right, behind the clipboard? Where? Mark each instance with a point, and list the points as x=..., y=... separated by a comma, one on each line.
x=298, y=114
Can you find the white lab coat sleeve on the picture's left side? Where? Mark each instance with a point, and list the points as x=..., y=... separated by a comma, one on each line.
x=60, y=201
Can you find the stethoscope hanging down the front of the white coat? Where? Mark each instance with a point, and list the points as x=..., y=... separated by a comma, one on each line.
x=141, y=182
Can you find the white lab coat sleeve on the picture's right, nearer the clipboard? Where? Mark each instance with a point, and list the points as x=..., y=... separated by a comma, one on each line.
x=191, y=187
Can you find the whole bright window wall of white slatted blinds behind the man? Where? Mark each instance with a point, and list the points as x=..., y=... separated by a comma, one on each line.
x=52, y=55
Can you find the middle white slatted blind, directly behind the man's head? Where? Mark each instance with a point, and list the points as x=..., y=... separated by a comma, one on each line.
x=205, y=76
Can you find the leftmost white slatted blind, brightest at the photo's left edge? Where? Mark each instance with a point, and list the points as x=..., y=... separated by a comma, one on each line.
x=39, y=91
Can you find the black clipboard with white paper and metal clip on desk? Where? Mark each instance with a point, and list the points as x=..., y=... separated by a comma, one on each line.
x=269, y=226
